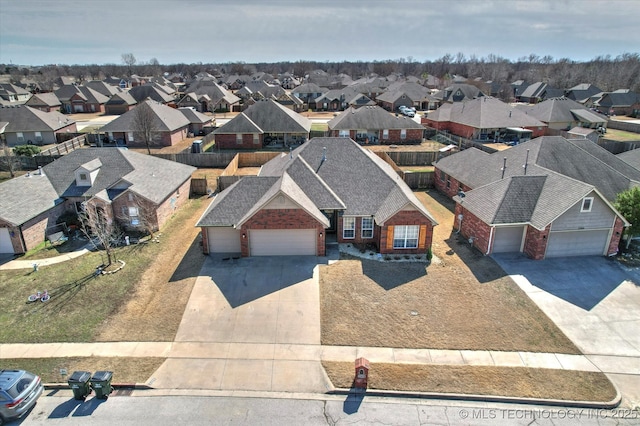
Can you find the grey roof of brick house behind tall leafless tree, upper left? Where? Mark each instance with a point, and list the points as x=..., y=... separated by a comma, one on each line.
x=165, y=119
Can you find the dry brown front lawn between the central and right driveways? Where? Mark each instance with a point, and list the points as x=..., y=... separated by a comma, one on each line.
x=465, y=302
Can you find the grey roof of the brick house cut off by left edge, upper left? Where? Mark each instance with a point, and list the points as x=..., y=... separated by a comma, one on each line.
x=24, y=118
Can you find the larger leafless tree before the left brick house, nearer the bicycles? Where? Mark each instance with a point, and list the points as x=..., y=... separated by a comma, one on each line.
x=100, y=228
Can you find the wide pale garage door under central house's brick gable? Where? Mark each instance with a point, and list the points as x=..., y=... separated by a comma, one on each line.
x=282, y=242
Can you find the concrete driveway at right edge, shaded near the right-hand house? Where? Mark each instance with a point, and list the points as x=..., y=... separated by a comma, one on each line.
x=596, y=303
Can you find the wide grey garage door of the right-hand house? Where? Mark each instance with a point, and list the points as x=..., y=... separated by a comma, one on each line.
x=577, y=243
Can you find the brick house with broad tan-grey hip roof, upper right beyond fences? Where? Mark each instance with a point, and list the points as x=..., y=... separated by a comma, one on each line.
x=485, y=119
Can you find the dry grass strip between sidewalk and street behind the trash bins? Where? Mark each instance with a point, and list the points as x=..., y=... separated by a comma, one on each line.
x=125, y=370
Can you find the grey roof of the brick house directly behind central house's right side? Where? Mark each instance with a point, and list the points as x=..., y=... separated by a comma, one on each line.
x=371, y=117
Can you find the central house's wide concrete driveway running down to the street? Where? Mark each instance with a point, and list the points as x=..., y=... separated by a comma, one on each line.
x=250, y=324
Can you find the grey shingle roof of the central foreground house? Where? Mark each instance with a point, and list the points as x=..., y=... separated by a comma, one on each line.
x=322, y=174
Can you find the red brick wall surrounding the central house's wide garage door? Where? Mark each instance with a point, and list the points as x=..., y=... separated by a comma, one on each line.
x=282, y=219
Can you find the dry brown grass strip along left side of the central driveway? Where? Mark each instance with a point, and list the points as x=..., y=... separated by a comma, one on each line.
x=155, y=309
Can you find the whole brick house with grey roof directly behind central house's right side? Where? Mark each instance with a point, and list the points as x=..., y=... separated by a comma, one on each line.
x=372, y=124
